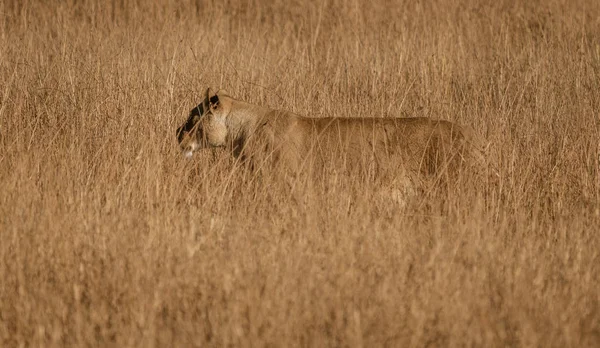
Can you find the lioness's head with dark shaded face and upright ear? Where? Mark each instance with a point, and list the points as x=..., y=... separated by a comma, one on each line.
x=206, y=126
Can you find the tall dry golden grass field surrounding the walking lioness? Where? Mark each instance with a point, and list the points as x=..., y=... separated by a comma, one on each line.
x=109, y=237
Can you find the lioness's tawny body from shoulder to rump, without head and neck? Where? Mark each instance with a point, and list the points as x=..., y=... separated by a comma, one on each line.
x=378, y=146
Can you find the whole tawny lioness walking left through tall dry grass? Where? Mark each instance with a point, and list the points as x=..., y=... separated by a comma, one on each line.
x=386, y=149
